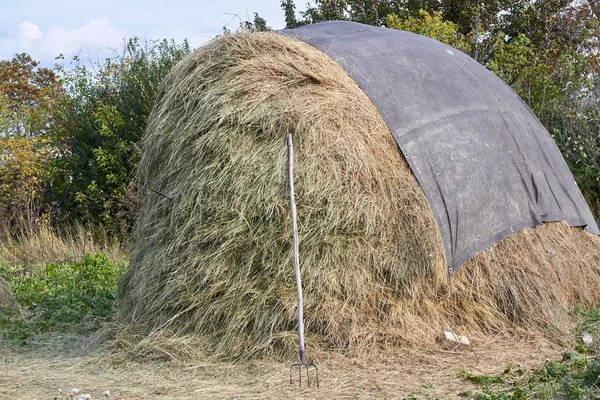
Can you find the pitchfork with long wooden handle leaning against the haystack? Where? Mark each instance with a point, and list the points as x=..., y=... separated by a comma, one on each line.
x=302, y=362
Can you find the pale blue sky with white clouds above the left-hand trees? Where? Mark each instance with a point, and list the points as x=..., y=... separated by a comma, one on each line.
x=47, y=28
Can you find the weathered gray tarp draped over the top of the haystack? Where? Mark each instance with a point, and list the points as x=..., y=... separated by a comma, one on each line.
x=486, y=164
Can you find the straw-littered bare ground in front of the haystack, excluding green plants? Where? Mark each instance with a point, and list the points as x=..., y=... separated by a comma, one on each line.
x=39, y=373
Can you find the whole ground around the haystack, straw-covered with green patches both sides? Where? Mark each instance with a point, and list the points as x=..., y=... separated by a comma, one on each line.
x=64, y=335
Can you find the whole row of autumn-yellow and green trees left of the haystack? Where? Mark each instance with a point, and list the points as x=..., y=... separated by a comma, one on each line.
x=86, y=122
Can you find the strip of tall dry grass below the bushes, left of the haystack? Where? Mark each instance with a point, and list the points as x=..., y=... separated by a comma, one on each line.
x=48, y=245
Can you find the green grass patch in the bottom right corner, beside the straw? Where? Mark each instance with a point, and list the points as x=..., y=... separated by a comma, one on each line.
x=576, y=376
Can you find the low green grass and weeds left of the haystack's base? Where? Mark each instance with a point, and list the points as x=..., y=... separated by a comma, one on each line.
x=59, y=297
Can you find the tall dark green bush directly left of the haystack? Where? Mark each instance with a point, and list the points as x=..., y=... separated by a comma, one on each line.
x=101, y=124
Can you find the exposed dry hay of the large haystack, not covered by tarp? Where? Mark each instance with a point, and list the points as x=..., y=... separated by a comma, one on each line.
x=213, y=255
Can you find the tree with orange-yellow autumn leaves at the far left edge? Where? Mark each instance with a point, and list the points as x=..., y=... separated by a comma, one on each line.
x=29, y=100
